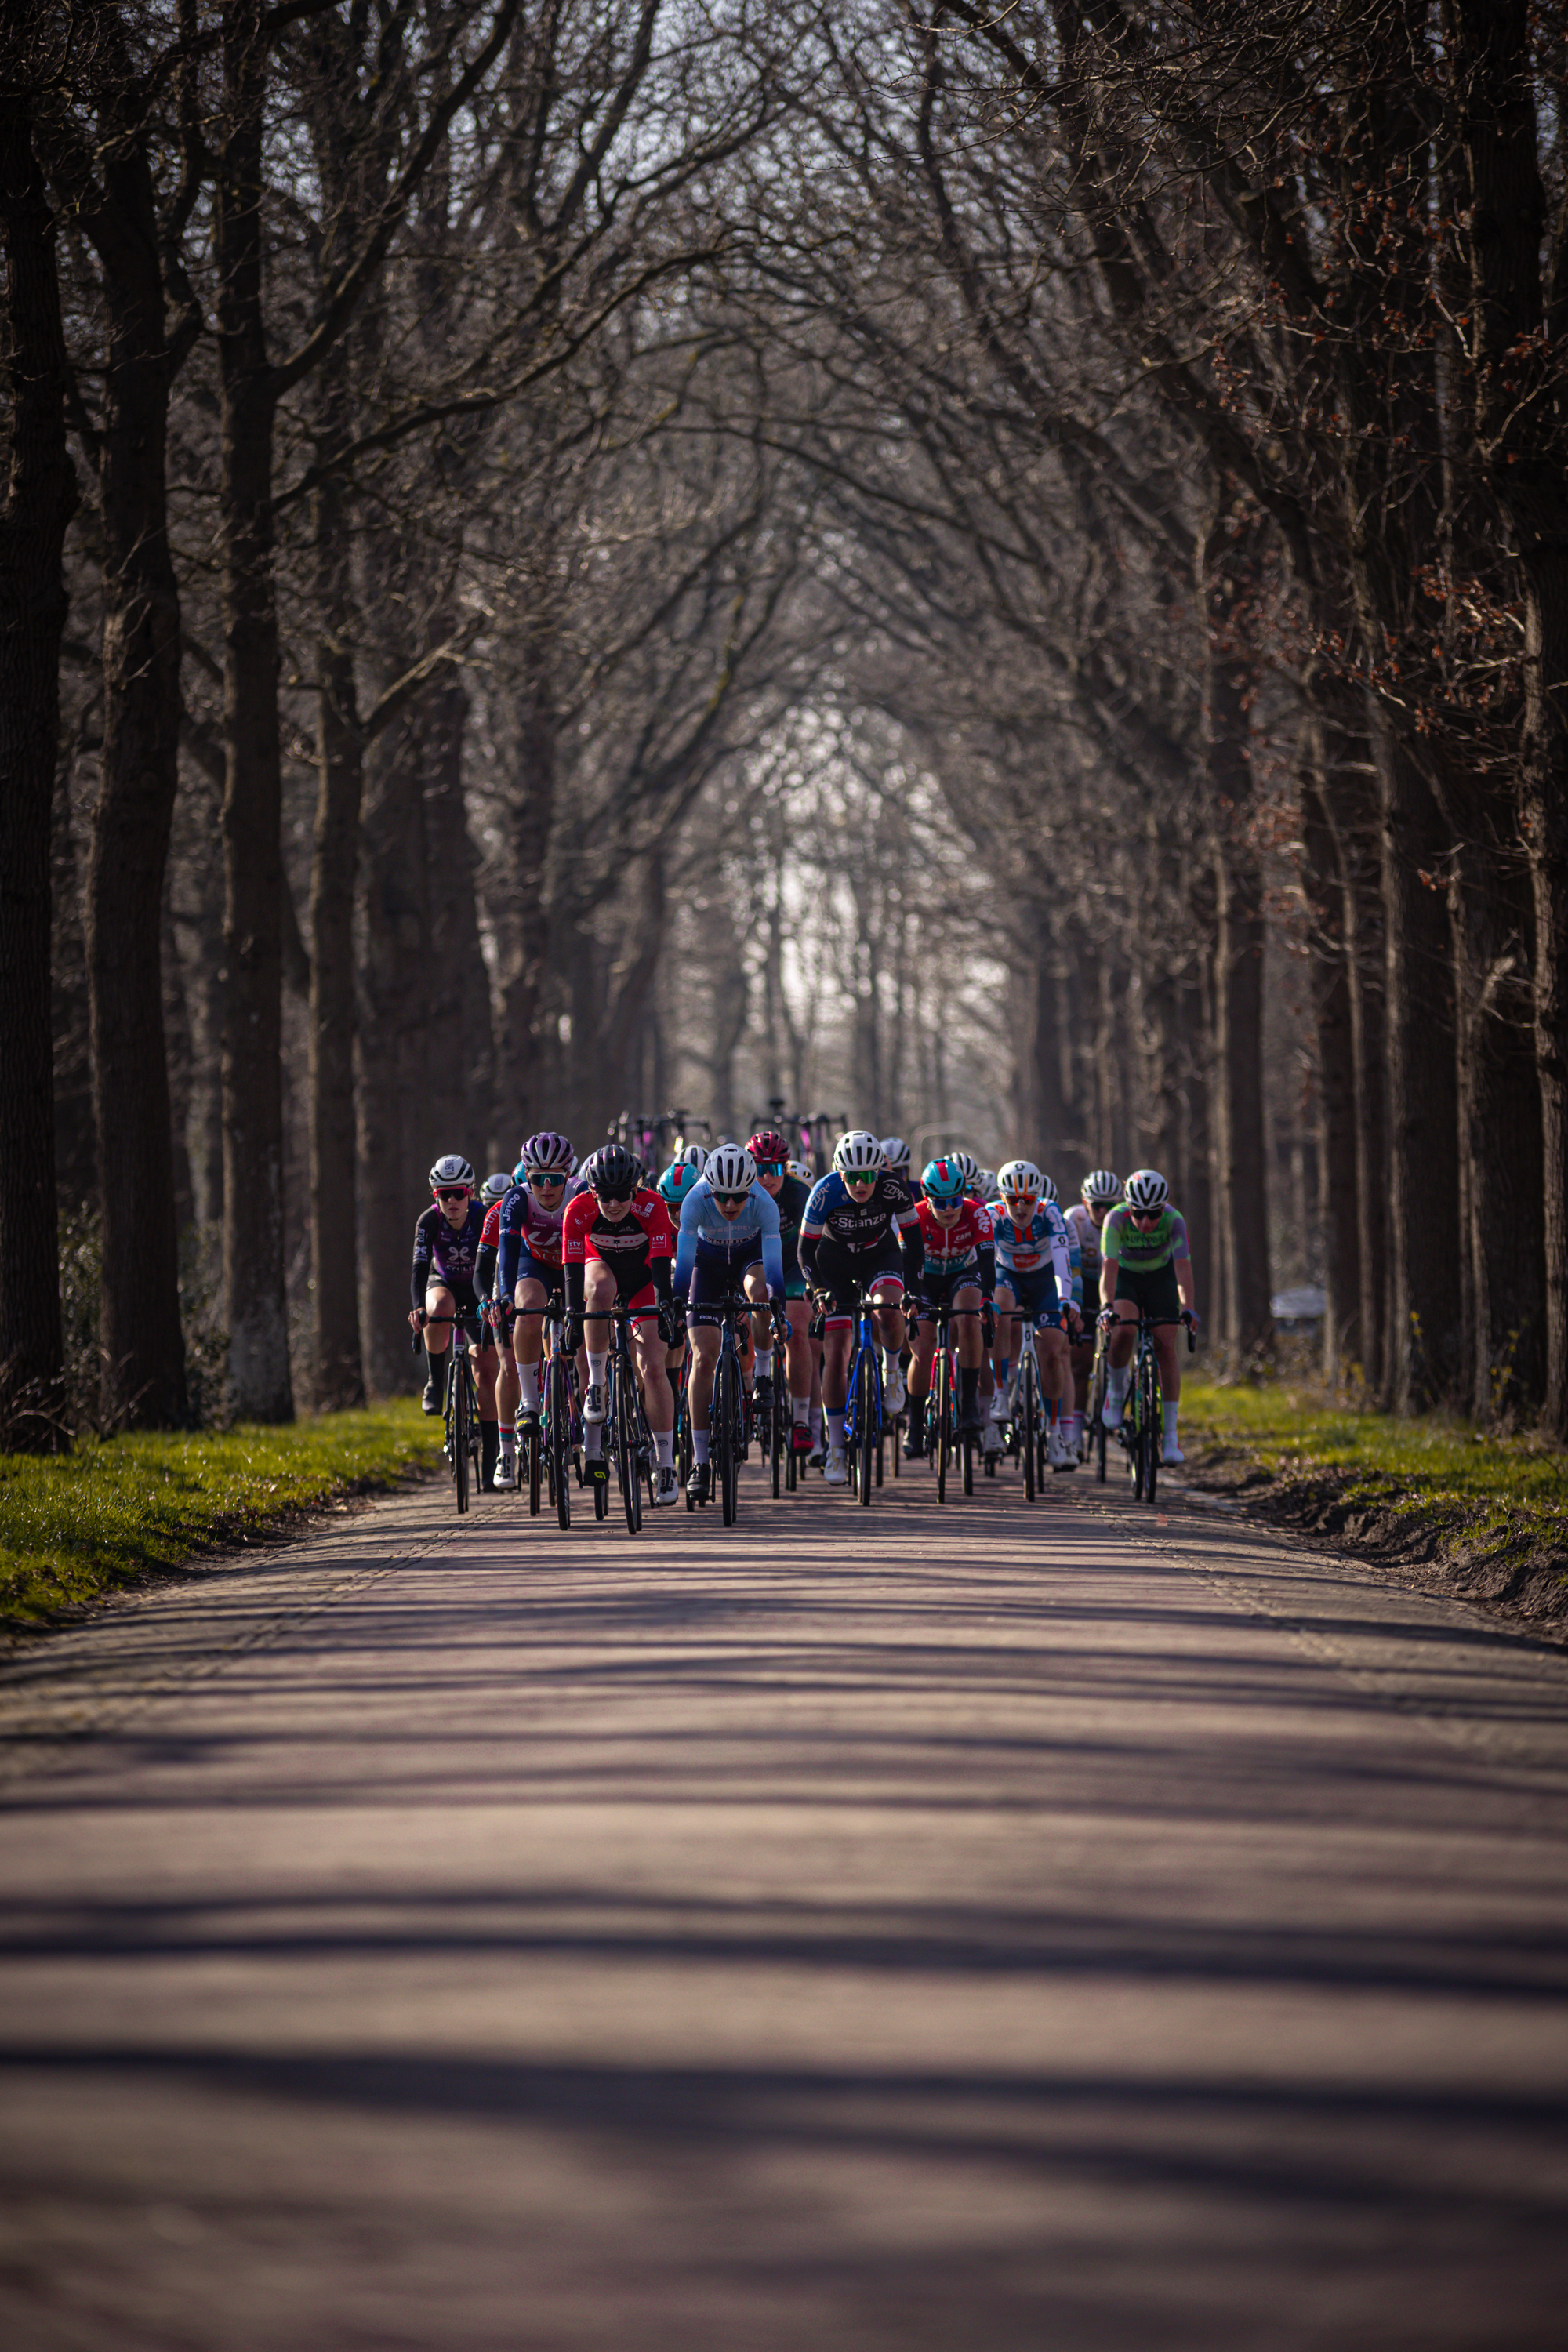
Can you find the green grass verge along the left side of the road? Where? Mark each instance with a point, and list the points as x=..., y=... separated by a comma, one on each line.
x=86, y=1523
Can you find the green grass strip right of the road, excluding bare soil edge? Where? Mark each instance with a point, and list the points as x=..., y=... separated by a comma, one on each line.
x=1470, y=1485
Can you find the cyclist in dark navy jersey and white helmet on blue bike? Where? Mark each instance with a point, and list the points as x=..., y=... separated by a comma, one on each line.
x=859, y=1231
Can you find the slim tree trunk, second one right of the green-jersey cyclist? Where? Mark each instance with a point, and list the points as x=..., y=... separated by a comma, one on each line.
x=1336, y=1069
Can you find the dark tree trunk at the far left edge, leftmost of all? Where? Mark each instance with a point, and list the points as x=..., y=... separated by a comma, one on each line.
x=39, y=505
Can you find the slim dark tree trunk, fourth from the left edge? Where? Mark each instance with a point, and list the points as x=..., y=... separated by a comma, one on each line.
x=337, y=1372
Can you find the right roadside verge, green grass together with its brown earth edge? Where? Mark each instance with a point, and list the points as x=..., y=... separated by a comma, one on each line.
x=1482, y=1516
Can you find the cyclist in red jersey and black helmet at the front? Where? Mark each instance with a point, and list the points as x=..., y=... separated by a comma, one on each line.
x=617, y=1248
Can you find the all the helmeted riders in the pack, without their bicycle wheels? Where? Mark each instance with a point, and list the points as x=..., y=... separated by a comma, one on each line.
x=554, y=1252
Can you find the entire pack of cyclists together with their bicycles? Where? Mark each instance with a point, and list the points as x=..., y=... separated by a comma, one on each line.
x=847, y=1318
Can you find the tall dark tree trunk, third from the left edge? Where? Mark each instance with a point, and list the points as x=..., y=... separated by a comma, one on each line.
x=255, y=1304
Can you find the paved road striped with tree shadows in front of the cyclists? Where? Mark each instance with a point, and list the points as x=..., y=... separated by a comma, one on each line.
x=890, y=1930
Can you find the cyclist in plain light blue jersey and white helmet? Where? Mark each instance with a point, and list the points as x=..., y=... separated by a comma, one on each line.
x=730, y=1229
